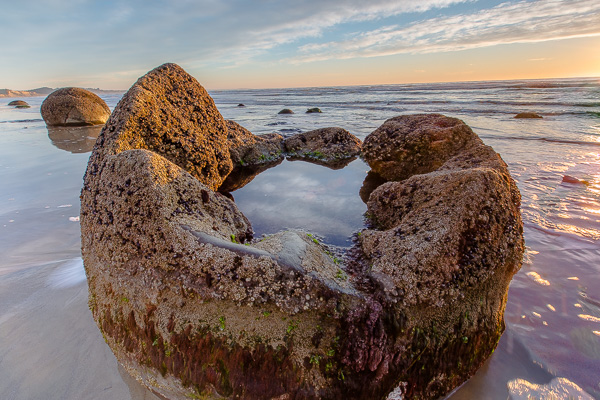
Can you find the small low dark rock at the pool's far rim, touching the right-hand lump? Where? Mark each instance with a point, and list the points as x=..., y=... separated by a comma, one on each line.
x=325, y=145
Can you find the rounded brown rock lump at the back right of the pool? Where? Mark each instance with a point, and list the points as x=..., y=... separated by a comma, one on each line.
x=414, y=144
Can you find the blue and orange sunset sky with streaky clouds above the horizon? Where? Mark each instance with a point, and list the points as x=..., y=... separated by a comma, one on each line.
x=229, y=44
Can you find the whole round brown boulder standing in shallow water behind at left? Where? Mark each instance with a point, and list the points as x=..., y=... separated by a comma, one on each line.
x=74, y=107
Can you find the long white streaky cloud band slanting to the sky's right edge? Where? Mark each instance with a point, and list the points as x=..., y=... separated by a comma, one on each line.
x=519, y=22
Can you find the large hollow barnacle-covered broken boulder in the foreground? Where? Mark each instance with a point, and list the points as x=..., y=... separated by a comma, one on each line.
x=190, y=310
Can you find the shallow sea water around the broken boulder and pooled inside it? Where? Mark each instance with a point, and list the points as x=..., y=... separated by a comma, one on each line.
x=50, y=347
